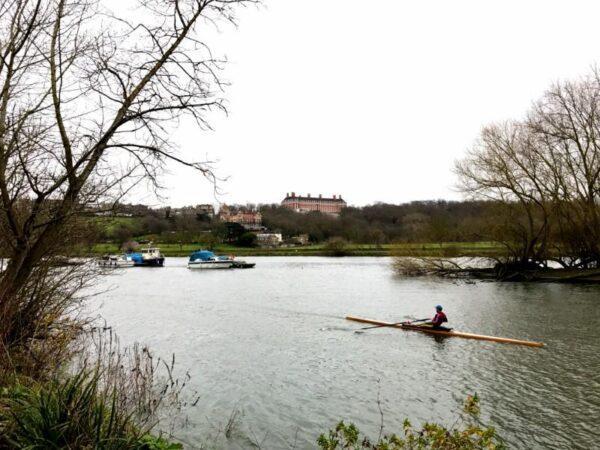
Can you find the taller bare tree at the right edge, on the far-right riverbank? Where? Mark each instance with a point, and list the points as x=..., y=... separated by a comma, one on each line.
x=566, y=125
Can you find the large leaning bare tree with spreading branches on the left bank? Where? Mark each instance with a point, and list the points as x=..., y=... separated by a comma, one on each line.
x=87, y=104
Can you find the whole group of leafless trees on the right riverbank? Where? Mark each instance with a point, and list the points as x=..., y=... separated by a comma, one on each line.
x=545, y=172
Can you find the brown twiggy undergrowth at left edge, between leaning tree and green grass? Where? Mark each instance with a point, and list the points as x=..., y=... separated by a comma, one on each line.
x=42, y=321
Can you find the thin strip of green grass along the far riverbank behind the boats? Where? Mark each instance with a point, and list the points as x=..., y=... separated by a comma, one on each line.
x=449, y=249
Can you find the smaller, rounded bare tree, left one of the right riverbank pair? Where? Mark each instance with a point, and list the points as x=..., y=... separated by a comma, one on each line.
x=503, y=167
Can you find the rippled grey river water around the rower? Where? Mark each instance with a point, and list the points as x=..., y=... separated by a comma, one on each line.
x=271, y=343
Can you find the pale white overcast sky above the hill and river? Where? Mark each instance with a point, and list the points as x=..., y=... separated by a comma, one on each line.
x=375, y=100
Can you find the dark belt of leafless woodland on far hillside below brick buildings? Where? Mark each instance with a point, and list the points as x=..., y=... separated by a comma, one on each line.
x=380, y=223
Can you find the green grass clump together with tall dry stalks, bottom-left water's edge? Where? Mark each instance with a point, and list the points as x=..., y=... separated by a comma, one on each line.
x=105, y=397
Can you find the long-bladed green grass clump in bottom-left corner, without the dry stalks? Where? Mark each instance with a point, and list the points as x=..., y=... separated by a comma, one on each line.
x=70, y=413
